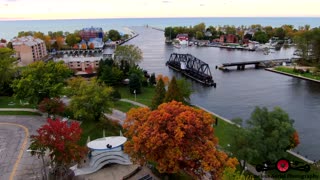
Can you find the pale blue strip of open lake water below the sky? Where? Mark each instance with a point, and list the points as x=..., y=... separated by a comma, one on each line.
x=10, y=29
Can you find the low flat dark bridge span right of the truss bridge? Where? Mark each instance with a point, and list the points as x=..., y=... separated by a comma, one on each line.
x=257, y=64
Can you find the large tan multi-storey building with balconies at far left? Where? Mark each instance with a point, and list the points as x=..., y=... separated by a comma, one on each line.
x=29, y=49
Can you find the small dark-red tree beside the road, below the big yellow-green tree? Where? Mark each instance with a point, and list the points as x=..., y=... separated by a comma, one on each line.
x=51, y=106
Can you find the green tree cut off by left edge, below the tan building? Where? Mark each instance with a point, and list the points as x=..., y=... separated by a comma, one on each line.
x=7, y=65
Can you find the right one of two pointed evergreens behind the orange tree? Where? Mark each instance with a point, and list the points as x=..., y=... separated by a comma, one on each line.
x=173, y=92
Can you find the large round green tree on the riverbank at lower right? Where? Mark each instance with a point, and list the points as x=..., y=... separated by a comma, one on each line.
x=272, y=132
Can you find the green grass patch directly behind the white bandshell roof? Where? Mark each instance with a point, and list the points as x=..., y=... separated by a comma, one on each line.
x=94, y=129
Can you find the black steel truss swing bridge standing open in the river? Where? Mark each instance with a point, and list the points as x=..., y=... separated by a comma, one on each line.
x=191, y=67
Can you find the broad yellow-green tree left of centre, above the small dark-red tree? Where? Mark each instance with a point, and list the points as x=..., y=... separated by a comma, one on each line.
x=40, y=80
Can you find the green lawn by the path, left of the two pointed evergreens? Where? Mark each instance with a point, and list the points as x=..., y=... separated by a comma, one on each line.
x=145, y=97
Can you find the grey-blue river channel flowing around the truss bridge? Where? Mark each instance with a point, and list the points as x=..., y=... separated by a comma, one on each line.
x=239, y=92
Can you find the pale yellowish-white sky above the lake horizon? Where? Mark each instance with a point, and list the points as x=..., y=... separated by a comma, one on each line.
x=87, y=9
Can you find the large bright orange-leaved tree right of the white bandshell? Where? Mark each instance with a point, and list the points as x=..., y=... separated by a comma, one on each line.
x=177, y=138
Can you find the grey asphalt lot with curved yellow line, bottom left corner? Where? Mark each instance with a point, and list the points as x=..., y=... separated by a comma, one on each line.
x=15, y=162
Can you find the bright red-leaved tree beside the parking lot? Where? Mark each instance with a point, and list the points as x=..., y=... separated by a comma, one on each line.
x=61, y=139
